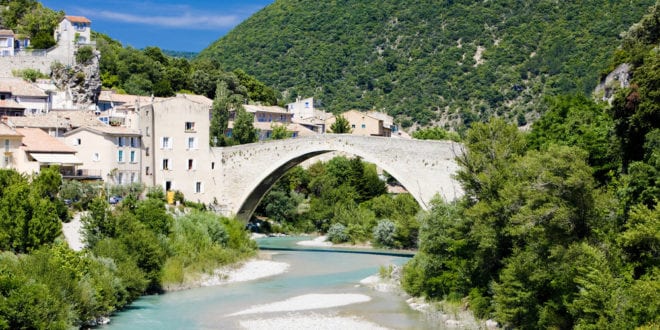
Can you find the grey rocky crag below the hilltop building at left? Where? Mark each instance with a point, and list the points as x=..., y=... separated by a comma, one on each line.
x=81, y=82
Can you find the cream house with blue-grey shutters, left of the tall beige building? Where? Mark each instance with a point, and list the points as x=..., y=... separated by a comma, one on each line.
x=109, y=153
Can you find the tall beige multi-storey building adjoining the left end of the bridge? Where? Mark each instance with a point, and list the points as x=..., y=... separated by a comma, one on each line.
x=175, y=145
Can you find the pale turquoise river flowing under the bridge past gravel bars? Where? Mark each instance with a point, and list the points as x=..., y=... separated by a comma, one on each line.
x=323, y=275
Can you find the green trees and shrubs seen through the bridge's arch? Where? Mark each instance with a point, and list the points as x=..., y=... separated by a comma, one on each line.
x=345, y=199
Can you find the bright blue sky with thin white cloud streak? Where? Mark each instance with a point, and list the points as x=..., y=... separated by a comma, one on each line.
x=173, y=25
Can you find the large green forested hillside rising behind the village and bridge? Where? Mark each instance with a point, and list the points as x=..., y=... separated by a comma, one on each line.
x=429, y=61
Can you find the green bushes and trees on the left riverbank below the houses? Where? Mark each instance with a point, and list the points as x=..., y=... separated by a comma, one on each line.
x=133, y=248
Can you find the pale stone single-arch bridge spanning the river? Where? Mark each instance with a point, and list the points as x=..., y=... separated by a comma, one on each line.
x=425, y=168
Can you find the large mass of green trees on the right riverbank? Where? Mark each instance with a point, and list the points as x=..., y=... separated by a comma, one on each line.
x=558, y=228
